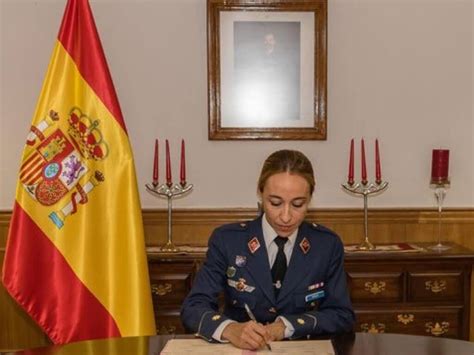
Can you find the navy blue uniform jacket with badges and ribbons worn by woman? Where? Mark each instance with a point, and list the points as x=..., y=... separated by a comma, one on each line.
x=313, y=296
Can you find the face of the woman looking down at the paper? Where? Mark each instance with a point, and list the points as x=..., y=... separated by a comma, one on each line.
x=285, y=200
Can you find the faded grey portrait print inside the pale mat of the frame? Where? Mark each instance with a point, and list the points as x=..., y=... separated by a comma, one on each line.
x=266, y=78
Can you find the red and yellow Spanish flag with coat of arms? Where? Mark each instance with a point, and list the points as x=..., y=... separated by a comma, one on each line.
x=75, y=257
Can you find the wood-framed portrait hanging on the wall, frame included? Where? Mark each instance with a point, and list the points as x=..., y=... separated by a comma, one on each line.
x=267, y=69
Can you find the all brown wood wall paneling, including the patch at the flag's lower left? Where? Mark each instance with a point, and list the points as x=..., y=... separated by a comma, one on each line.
x=193, y=227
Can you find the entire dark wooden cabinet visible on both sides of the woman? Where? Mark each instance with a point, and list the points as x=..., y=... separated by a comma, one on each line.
x=423, y=293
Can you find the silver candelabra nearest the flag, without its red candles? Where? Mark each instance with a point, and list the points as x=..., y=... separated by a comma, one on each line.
x=169, y=191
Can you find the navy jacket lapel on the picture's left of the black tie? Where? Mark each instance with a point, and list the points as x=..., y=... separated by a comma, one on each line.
x=257, y=262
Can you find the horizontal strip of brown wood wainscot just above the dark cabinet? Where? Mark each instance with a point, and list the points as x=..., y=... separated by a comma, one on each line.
x=193, y=226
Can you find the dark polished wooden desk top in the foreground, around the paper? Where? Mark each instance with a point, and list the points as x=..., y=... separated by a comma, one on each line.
x=354, y=344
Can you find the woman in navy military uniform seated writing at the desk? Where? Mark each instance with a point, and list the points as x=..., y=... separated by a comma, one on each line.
x=281, y=271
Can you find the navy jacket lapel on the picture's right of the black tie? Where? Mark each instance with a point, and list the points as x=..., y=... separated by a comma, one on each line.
x=298, y=263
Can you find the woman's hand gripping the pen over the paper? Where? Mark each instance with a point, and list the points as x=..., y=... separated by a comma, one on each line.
x=249, y=335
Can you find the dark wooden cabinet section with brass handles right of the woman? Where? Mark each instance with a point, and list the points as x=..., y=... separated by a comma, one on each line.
x=423, y=293
